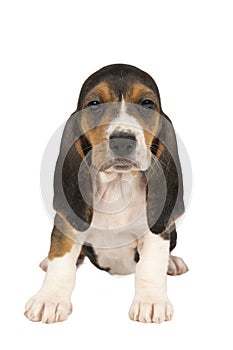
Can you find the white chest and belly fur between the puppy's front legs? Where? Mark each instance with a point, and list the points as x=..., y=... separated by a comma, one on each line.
x=119, y=219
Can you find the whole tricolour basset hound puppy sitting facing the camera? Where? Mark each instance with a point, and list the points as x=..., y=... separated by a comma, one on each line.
x=117, y=193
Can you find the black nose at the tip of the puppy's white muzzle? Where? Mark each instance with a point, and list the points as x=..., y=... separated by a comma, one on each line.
x=122, y=143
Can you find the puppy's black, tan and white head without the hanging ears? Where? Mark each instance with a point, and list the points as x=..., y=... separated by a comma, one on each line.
x=120, y=109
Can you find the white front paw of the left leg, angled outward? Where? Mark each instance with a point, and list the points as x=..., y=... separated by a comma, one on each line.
x=48, y=308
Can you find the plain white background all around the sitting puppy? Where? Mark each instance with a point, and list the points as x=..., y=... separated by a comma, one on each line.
x=48, y=48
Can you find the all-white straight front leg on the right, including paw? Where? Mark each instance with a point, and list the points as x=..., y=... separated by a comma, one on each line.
x=151, y=303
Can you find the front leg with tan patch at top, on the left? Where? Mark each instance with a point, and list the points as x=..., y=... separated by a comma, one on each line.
x=52, y=302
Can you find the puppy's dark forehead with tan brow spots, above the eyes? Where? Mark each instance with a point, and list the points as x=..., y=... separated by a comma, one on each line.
x=112, y=83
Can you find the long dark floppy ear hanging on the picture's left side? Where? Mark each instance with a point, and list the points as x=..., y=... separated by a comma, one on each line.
x=72, y=178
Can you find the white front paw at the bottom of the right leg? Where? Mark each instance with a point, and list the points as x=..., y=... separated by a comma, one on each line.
x=157, y=310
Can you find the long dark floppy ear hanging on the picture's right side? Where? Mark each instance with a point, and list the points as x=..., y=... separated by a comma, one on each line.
x=164, y=180
